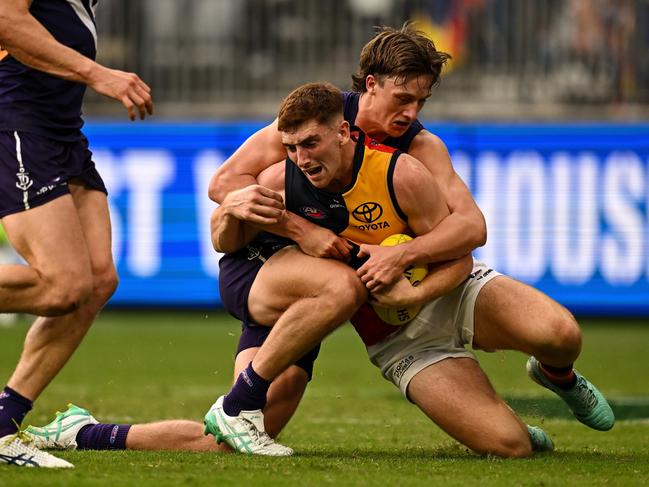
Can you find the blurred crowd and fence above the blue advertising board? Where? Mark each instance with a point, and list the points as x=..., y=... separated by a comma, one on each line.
x=511, y=58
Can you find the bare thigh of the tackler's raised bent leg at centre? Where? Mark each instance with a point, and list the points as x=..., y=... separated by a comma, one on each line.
x=290, y=275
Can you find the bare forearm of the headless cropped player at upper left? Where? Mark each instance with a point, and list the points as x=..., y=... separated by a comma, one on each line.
x=31, y=44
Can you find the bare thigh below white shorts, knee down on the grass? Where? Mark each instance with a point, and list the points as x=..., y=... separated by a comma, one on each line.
x=457, y=395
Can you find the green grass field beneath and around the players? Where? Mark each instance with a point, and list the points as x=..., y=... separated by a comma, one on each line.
x=353, y=427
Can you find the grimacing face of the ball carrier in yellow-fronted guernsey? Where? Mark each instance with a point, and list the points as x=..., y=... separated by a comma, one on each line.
x=316, y=149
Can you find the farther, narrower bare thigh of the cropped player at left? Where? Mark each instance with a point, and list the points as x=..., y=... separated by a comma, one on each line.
x=94, y=215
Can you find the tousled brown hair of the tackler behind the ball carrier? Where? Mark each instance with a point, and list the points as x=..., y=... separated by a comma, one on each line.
x=401, y=53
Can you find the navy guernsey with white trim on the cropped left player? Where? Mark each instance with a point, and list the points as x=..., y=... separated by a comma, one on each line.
x=36, y=102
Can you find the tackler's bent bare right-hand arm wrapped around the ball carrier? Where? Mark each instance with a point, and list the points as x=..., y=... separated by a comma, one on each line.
x=464, y=229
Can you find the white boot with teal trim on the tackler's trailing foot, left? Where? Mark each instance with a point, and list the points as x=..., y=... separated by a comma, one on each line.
x=61, y=434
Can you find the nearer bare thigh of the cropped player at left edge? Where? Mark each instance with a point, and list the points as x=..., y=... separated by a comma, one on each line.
x=50, y=238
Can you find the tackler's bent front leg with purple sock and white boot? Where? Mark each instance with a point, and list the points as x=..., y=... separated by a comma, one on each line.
x=304, y=298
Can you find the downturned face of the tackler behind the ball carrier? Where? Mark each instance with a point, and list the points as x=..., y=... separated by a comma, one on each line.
x=395, y=104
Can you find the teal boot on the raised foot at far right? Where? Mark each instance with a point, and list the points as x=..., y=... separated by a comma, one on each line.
x=587, y=404
